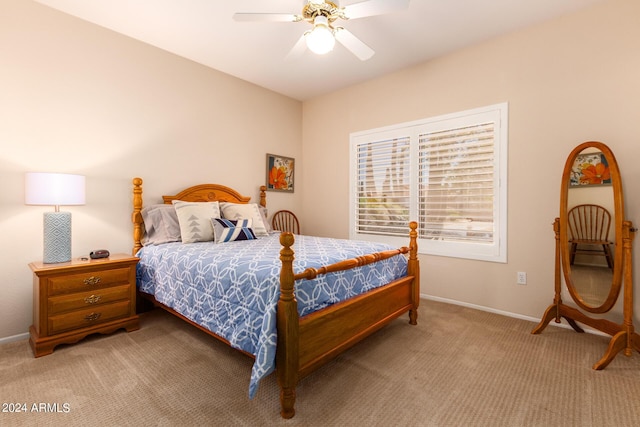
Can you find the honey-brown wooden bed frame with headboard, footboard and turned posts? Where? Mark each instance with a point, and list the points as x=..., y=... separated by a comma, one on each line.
x=306, y=343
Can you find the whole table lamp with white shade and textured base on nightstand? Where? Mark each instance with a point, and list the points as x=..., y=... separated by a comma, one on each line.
x=55, y=189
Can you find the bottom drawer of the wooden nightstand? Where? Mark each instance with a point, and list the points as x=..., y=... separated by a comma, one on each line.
x=88, y=317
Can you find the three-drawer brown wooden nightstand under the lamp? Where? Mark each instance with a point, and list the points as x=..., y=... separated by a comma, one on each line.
x=84, y=296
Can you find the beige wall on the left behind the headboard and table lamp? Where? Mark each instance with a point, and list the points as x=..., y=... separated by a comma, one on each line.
x=77, y=98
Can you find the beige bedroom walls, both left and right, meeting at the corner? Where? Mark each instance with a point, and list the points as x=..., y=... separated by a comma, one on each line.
x=81, y=99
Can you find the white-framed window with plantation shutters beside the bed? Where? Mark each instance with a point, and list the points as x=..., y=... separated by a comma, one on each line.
x=448, y=173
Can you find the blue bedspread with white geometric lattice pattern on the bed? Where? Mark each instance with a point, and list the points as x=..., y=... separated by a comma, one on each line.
x=232, y=289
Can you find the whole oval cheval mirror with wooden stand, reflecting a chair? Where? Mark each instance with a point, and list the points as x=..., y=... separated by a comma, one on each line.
x=593, y=249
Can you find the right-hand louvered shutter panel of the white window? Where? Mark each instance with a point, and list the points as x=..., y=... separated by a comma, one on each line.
x=456, y=176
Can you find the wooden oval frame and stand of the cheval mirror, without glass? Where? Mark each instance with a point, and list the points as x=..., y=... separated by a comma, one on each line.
x=623, y=335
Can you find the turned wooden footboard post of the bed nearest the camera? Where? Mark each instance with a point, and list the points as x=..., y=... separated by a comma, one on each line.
x=287, y=358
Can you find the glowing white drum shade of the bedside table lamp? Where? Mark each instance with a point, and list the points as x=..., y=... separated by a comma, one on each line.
x=54, y=189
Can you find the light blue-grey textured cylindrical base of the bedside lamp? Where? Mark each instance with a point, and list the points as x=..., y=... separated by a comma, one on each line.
x=57, y=237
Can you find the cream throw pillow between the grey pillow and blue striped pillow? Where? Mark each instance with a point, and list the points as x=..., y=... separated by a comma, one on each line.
x=195, y=220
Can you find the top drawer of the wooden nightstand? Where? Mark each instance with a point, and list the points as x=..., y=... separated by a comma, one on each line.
x=88, y=281
